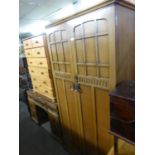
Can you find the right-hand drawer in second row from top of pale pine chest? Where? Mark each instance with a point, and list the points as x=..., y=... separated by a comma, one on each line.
x=38, y=52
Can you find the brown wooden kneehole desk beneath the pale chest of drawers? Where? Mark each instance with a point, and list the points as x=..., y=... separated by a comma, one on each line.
x=43, y=109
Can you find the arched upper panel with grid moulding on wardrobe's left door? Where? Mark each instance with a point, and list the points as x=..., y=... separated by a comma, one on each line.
x=60, y=51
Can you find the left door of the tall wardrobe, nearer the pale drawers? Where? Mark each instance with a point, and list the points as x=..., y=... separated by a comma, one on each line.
x=62, y=63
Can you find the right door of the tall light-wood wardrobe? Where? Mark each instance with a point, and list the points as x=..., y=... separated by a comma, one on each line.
x=92, y=41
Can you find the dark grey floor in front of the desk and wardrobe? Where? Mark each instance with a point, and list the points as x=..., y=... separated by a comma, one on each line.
x=35, y=140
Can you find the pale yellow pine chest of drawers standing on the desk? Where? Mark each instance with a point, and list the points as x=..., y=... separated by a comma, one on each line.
x=37, y=55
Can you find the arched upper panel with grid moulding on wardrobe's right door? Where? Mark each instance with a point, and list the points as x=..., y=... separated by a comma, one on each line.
x=91, y=47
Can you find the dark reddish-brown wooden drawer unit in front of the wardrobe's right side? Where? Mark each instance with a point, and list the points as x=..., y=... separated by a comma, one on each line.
x=122, y=111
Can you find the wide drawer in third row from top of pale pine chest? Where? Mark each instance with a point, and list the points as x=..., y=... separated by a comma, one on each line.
x=40, y=62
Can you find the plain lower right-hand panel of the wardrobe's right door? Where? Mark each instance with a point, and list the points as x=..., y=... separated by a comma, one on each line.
x=103, y=120
